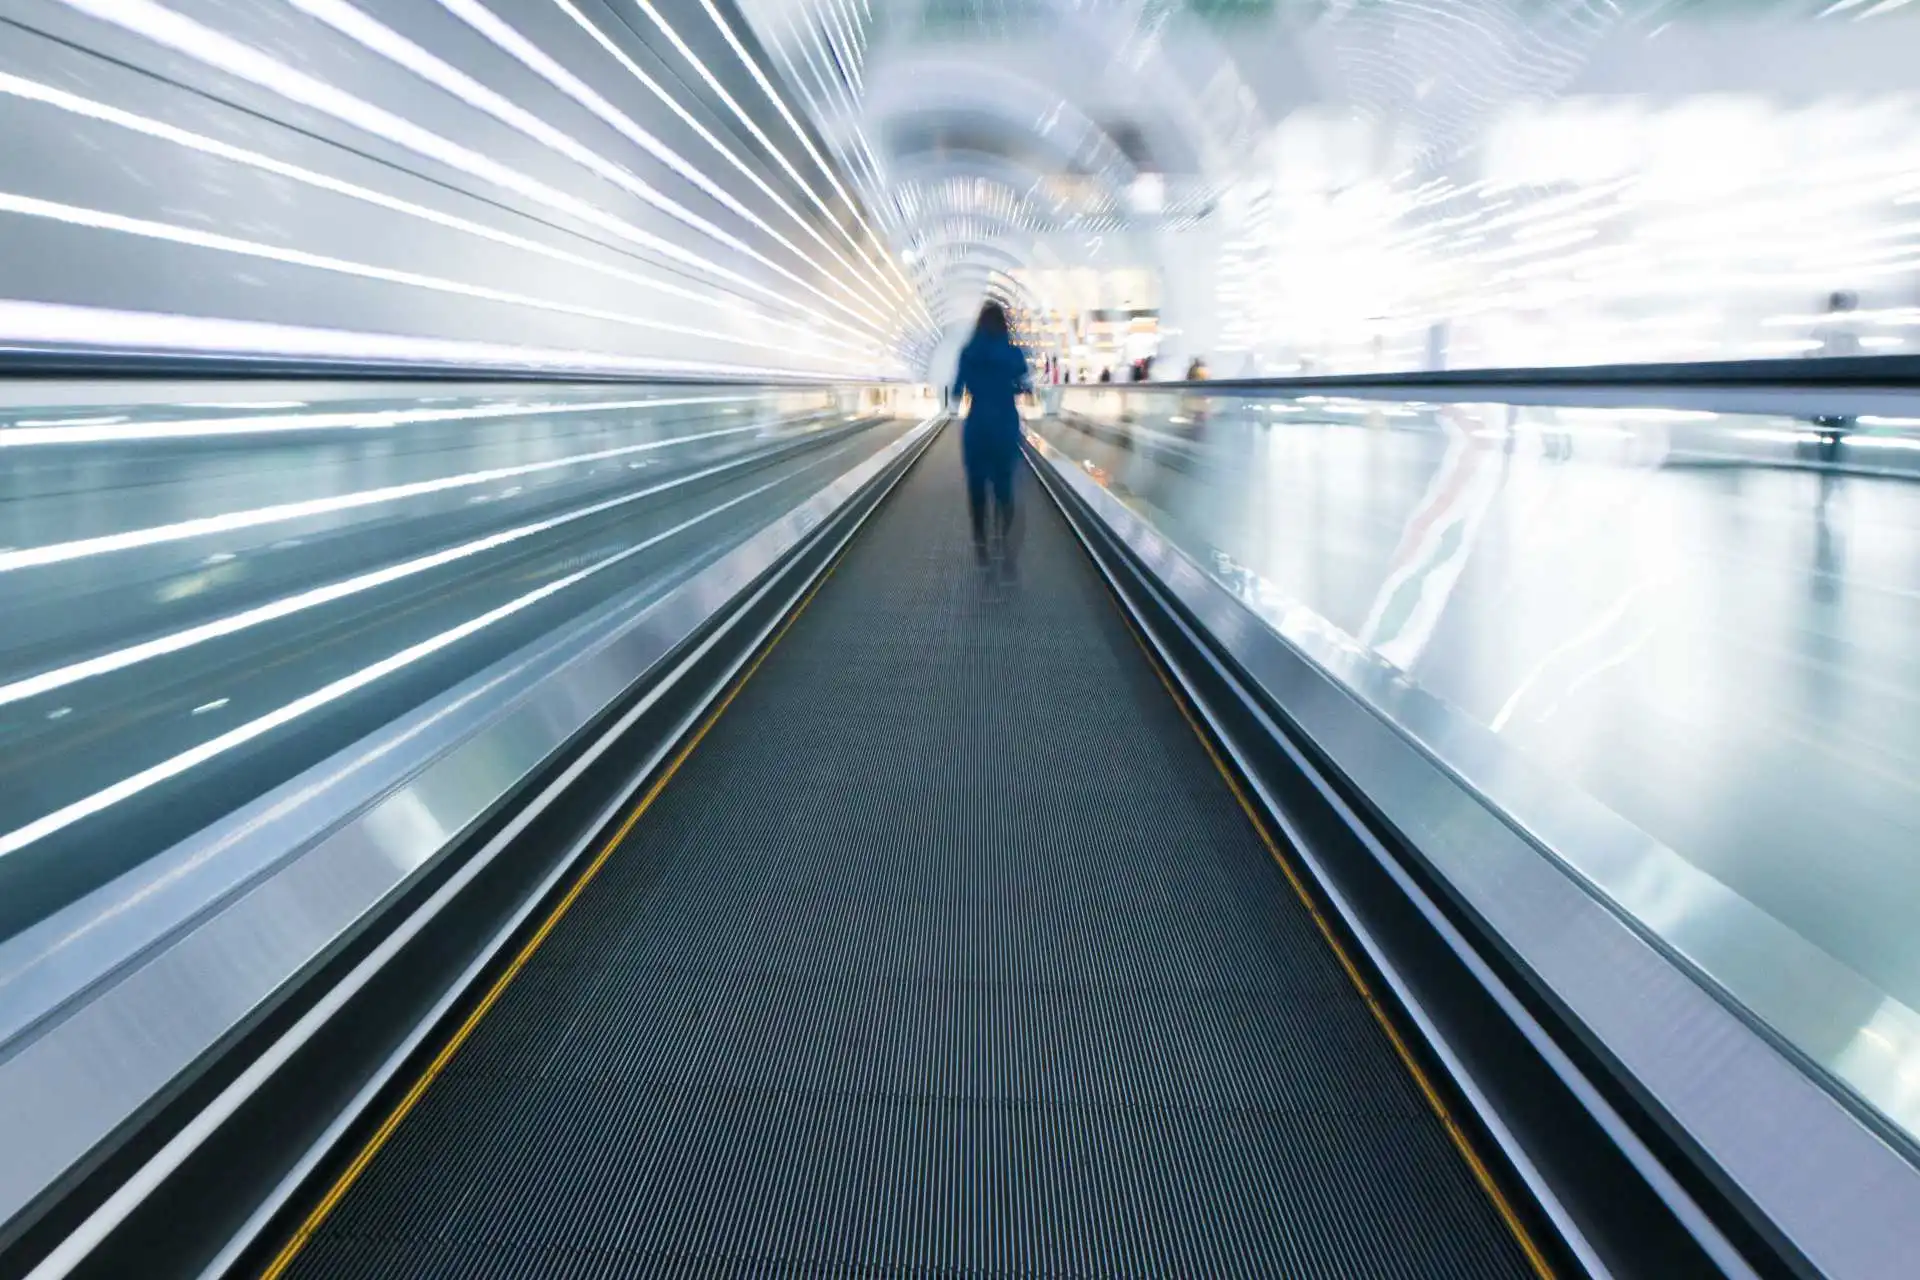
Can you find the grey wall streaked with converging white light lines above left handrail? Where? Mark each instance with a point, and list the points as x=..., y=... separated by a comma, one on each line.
x=560, y=185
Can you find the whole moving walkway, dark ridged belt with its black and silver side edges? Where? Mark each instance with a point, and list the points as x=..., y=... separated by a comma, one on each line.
x=894, y=914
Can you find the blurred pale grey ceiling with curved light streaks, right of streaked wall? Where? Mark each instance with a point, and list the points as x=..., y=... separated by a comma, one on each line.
x=1001, y=133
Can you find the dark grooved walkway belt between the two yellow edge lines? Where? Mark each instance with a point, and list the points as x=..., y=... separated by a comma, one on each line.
x=948, y=951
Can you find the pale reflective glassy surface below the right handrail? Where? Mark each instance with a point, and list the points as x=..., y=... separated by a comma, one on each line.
x=1727, y=655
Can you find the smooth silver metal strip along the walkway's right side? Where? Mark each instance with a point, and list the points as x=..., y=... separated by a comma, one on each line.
x=1808, y=1166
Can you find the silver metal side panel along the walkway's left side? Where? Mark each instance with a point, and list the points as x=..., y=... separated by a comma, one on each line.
x=76, y=1079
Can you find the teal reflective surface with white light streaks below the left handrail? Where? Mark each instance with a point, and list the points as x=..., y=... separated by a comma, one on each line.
x=204, y=604
